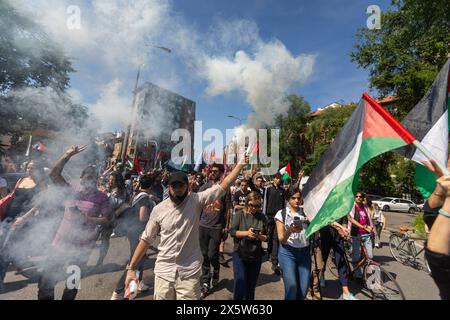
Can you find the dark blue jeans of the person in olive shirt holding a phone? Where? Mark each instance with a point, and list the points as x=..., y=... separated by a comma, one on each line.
x=245, y=277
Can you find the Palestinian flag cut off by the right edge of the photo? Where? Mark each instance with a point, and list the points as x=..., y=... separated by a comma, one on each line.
x=428, y=121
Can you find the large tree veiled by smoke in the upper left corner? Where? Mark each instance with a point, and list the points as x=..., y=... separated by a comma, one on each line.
x=33, y=79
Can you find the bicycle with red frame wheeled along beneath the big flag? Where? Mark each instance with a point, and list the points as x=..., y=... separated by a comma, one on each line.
x=377, y=280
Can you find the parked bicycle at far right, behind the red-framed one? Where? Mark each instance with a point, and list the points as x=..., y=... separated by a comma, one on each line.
x=403, y=248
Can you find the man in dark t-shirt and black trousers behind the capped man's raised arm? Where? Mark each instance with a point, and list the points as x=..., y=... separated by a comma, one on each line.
x=213, y=223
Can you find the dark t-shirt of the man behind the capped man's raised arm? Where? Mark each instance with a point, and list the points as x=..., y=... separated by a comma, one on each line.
x=214, y=215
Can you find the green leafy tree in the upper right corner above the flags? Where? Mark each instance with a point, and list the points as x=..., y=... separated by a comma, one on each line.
x=405, y=55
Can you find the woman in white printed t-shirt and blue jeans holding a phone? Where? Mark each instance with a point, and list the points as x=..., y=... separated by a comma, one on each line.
x=294, y=251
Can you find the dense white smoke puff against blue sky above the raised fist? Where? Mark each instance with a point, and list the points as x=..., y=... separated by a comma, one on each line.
x=265, y=76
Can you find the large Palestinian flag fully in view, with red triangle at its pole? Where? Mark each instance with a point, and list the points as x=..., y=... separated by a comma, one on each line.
x=369, y=132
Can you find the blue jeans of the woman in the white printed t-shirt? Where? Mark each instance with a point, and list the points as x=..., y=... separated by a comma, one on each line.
x=296, y=266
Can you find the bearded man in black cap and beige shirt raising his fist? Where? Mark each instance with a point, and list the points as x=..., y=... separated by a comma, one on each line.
x=178, y=266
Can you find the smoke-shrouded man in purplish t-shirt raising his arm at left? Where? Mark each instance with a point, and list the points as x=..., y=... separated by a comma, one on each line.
x=77, y=234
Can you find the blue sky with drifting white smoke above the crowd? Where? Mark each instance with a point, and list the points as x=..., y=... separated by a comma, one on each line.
x=231, y=57
